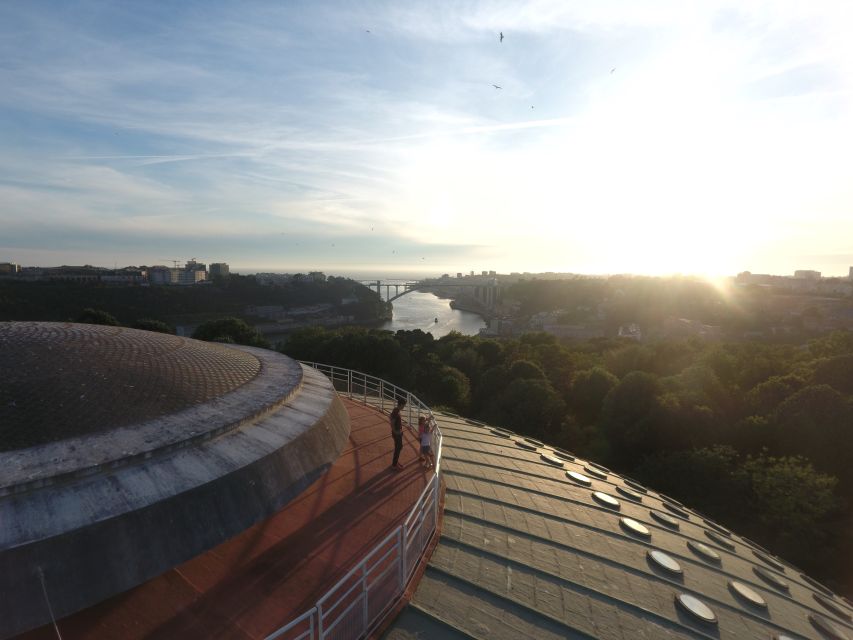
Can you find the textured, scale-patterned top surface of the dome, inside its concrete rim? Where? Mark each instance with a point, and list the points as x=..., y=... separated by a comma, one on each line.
x=62, y=380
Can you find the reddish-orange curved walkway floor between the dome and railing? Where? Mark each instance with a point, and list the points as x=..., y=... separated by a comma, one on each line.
x=274, y=571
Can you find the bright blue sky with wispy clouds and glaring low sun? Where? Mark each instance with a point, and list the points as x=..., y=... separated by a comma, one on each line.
x=650, y=137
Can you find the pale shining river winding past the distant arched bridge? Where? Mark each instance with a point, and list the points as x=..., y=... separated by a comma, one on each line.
x=418, y=310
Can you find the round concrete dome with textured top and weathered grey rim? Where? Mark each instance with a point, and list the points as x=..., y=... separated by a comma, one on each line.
x=127, y=452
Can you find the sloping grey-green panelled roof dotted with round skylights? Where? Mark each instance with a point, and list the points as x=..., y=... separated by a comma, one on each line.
x=527, y=552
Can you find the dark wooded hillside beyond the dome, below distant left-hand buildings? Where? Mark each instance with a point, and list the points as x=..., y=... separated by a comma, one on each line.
x=63, y=301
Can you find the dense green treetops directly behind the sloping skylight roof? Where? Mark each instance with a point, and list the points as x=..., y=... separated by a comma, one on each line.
x=756, y=435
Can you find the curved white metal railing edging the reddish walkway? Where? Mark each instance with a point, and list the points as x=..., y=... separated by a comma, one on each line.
x=359, y=601
